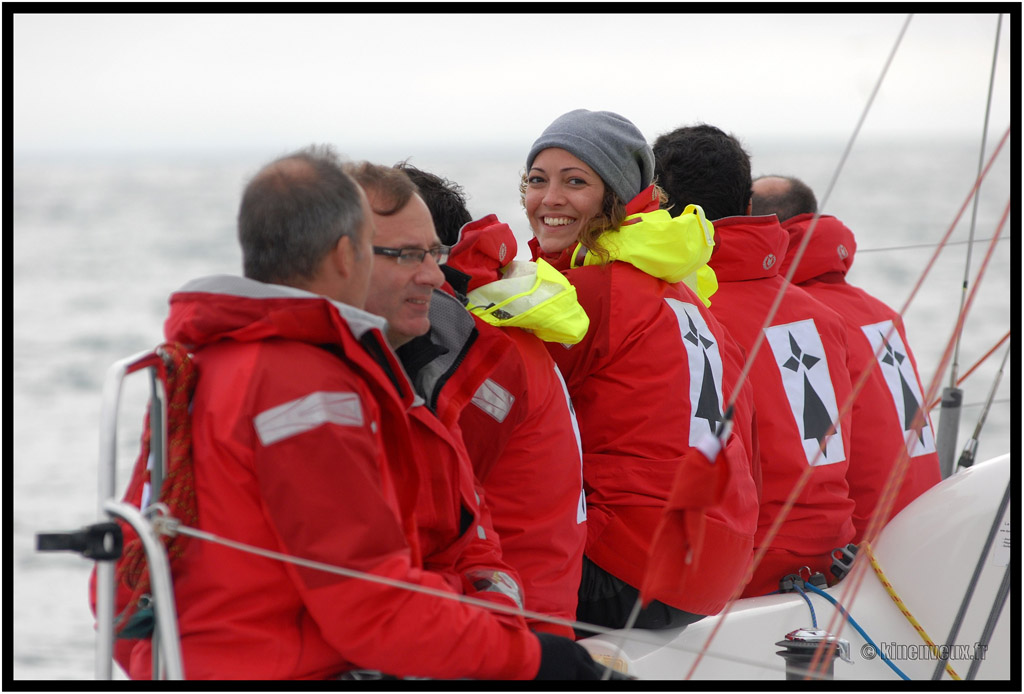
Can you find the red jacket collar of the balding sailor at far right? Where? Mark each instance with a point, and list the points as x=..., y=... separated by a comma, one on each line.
x=831, y=249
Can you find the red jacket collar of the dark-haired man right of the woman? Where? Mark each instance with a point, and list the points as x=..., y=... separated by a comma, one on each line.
x=749, y=248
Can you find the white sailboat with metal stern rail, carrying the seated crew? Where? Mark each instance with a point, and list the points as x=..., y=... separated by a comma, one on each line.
x=928, y=599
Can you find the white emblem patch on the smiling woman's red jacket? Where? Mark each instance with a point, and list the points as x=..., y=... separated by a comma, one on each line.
x=705, y=361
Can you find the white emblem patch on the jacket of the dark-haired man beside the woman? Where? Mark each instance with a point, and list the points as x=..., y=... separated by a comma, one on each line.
x=802, y=364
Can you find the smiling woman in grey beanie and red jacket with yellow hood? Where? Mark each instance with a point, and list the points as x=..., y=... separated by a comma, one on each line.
x=650, y=379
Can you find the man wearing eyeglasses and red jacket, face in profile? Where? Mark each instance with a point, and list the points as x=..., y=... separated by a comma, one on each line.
x=403, y=285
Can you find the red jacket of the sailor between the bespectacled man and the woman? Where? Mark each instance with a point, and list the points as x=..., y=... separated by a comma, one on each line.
x=524, y=443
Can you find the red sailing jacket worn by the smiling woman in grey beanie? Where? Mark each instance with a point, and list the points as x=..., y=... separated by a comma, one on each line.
x=648, y=382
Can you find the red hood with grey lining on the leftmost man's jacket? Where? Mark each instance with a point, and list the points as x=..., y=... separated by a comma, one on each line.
x=230, y=308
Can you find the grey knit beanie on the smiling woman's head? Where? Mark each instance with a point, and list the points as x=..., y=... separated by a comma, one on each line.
x=609, y=144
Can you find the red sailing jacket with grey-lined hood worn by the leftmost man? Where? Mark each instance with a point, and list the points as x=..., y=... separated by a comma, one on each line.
x=303, y=446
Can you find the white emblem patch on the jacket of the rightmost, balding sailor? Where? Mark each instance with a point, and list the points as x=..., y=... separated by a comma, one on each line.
x=897, y=368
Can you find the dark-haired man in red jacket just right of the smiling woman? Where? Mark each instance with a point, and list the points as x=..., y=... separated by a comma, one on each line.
x=799, y=374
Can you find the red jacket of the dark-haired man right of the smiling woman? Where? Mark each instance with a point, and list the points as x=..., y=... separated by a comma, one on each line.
x=800, y=383
